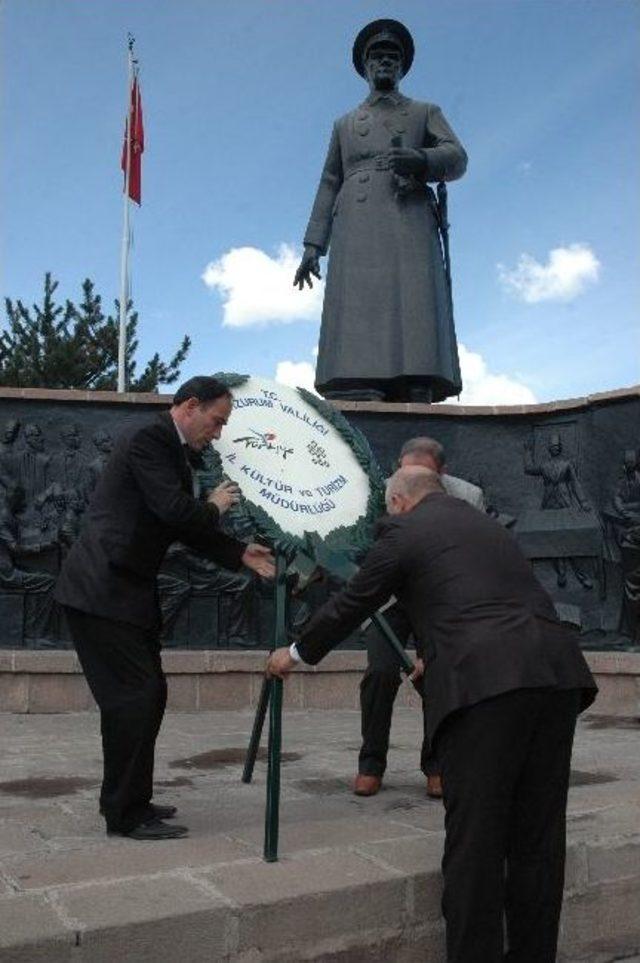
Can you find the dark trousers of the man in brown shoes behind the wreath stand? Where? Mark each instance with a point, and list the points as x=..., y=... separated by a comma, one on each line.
x=378, y=690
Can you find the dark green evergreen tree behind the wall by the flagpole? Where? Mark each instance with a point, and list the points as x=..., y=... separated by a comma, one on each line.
x=76, y=346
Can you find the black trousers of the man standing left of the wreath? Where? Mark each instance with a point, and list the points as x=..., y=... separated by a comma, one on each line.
x=122, y=666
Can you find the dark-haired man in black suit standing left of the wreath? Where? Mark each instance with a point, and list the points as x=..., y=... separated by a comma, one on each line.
x=142, y=503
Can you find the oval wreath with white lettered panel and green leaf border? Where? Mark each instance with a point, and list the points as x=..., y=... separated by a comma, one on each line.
x=297, y=459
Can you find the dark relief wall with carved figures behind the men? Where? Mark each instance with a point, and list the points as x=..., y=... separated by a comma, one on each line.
x=565, y=480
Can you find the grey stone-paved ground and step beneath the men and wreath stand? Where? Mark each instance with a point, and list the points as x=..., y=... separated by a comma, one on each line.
x=357, y=881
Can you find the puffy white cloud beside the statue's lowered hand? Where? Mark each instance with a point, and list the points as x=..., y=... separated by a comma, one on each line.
x=258, y=289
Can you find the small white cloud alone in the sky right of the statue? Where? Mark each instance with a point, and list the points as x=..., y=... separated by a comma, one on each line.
x=568, y=271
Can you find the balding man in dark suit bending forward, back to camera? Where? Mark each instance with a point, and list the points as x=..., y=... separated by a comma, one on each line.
x=504, y=683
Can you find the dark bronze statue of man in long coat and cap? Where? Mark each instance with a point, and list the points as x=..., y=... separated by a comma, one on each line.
x=387, y=325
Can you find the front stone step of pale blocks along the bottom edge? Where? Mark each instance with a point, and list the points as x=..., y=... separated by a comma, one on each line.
x=362, y=903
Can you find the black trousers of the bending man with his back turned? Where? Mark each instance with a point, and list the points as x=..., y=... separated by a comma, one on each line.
x=505, y=768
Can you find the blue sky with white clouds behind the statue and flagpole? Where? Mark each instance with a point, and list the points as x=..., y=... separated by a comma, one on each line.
x=238, y=101
